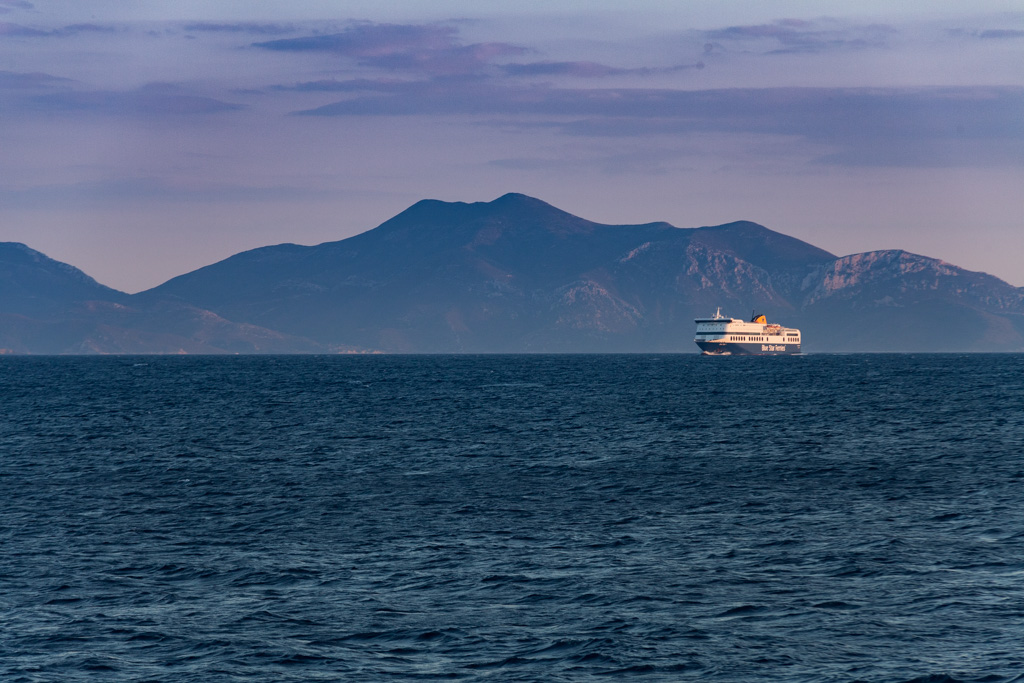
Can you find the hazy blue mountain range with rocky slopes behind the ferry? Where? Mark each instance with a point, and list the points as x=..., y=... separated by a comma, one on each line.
x=515, y=275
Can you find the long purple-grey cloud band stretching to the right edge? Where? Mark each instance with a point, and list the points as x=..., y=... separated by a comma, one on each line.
x=877, y=126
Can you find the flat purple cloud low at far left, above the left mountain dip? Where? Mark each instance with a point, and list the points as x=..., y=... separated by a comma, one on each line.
x=153, y=100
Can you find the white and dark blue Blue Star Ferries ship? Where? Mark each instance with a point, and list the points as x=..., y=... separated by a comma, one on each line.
x=733, y=336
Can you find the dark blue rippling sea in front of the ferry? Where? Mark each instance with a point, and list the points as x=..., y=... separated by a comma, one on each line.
x=513, y=519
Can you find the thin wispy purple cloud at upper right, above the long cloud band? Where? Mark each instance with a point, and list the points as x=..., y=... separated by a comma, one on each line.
x=794, y=36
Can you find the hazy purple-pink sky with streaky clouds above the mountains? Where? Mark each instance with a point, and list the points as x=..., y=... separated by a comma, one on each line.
x=140, y=141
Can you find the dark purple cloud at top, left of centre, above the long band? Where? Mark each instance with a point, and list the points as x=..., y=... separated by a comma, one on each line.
x=430, y=50
